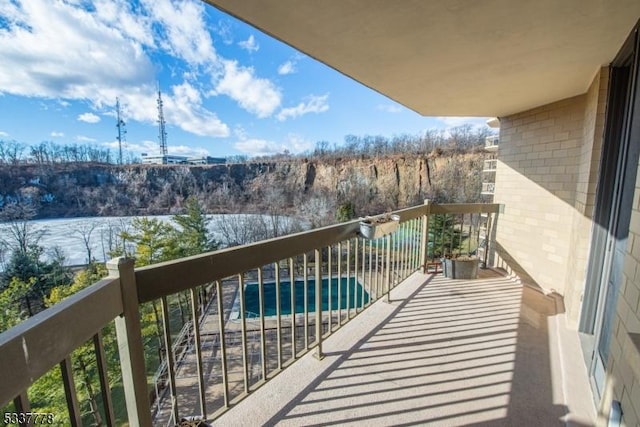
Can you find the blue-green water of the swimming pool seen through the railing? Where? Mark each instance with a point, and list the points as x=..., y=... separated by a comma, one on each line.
x=342, y=286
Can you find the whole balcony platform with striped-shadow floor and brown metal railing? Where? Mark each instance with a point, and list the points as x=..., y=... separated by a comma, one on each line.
x=390, y=343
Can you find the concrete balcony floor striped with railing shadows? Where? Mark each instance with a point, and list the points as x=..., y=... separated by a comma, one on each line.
x=443, y=352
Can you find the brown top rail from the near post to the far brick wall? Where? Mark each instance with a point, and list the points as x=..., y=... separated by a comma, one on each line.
x=174, y=276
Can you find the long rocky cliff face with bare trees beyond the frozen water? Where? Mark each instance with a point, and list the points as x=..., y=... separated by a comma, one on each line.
x=62, y=190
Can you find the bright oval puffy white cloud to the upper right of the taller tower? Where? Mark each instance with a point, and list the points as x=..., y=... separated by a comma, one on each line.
x=256, y=95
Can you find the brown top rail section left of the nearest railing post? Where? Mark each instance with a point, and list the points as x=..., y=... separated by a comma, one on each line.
x=33, y=347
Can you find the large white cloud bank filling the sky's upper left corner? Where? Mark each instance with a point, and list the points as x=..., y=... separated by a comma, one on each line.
x=87, y=60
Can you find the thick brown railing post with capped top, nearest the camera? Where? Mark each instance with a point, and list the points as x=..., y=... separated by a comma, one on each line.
x=129, y=334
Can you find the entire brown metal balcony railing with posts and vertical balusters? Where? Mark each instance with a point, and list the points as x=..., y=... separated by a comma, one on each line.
x=252, y=311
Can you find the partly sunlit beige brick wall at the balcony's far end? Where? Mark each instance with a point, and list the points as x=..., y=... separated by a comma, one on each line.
x=547, y=172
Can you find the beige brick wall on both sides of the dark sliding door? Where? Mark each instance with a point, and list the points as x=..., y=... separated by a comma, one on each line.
x=548, y=165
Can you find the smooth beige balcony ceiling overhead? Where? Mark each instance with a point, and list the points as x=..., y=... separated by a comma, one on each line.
x=453, y=57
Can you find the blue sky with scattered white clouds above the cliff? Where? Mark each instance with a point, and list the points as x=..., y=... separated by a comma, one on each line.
x=227, y=89
